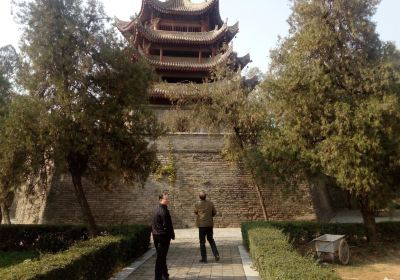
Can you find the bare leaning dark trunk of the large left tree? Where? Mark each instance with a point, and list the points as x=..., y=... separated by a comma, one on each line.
x=86, y=212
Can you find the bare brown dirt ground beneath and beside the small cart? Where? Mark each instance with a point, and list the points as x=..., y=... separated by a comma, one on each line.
x=371, y=262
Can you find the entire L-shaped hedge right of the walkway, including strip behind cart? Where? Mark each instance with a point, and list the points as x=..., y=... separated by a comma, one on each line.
x=270, y=245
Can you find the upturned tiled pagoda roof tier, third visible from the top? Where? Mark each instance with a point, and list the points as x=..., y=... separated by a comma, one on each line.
x=185, y=63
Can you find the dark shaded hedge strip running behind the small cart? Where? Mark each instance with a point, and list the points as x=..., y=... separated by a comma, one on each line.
x=303, y=232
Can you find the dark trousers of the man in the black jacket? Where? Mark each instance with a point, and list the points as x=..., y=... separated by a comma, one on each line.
x=162, y=246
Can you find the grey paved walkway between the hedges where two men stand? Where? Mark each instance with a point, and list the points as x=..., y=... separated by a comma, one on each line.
x=184, y=256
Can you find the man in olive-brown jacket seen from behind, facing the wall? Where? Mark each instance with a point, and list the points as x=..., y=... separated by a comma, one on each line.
x=205, y=211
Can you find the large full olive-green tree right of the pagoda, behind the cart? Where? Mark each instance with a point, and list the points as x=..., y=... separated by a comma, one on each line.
x=333, y=91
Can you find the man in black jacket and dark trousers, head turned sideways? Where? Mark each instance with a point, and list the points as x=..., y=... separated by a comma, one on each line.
x=163, y=232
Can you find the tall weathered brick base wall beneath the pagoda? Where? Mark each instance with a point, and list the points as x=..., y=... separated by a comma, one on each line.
x=200, y=166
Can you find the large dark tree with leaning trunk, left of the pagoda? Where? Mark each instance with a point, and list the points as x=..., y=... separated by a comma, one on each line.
x=99, y=124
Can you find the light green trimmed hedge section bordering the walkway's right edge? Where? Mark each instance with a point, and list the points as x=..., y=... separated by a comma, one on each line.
x=275, y=258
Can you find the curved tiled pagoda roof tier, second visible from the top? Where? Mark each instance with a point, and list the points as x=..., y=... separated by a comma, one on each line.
x=176, y=37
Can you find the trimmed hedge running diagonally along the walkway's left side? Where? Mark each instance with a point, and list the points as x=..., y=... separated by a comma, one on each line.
x=92, y=259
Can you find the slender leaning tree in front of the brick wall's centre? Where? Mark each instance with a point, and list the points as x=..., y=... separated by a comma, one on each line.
x=224, y=103
